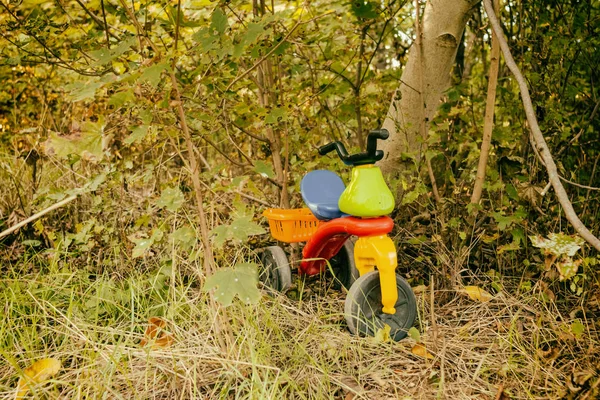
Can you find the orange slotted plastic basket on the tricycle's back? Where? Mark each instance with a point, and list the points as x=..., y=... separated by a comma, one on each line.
x=291, y=226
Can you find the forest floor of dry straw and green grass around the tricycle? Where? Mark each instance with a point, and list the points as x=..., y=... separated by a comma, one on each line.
x=515, y=346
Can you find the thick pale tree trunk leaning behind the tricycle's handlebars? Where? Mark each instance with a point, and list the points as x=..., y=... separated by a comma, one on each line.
x=443, y=24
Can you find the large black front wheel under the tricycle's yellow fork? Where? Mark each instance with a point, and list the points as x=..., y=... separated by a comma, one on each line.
x=363, y=307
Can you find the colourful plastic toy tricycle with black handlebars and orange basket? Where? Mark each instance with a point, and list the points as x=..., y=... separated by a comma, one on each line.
x=377, y=295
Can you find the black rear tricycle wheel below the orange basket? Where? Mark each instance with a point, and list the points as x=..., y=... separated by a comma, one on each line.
x=274, y=271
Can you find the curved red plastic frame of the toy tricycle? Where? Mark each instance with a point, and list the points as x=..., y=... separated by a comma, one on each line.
x=331, y=236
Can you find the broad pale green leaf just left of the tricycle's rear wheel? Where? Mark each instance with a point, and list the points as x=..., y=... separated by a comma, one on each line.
x=241, y=280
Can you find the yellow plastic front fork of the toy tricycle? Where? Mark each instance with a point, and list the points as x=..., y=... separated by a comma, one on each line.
x=371, y=251
